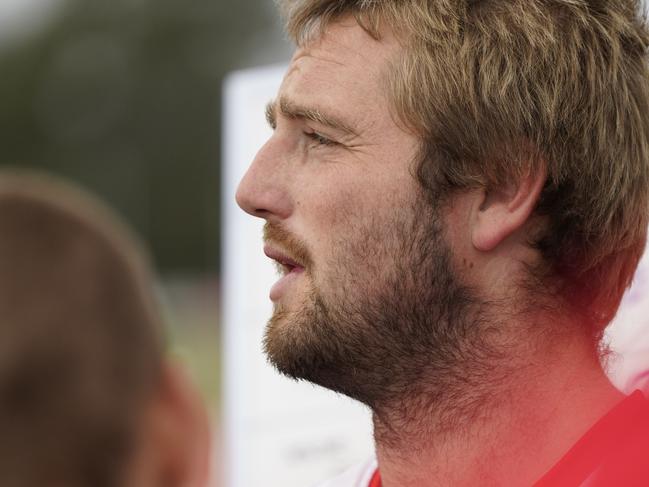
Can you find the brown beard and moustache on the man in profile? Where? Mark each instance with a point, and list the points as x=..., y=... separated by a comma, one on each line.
x=393, y=323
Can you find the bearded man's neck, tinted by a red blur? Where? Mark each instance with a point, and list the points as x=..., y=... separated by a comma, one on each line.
x=495, y=429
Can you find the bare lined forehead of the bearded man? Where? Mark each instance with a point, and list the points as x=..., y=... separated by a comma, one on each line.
x=343, y=69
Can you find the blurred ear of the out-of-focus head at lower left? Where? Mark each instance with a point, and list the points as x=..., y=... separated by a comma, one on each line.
x=175, y=446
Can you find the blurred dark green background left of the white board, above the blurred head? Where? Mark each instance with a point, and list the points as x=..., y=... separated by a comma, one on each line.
x=124, y=97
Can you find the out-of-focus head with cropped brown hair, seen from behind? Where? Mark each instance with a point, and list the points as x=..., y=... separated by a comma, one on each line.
x=86, y=398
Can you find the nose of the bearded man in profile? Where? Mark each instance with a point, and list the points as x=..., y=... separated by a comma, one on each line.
x=263, y=192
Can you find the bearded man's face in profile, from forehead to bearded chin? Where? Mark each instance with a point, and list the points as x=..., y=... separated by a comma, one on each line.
x=366, y=274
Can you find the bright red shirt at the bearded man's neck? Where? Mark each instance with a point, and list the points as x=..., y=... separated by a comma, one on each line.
x=613, y=453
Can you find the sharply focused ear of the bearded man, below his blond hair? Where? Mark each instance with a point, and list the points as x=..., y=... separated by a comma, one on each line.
x=504, y=210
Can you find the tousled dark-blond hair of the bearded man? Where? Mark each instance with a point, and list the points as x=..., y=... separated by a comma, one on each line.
x=497, y=89
